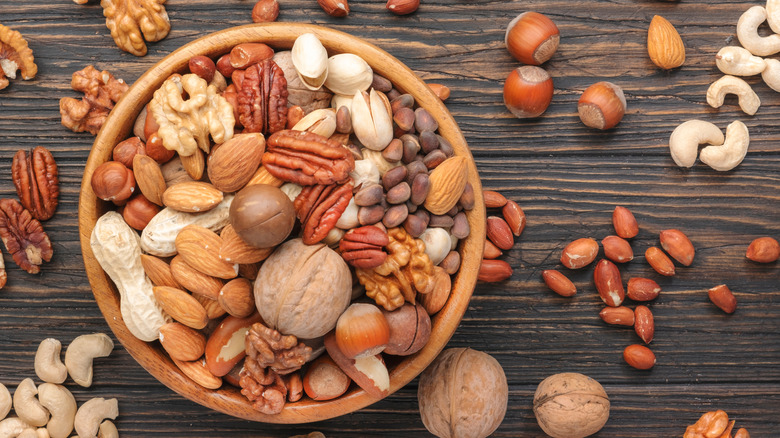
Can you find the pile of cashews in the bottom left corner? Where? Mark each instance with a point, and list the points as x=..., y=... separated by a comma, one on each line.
x=49, y=410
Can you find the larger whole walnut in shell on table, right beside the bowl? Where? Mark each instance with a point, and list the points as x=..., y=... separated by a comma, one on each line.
x=463, y=393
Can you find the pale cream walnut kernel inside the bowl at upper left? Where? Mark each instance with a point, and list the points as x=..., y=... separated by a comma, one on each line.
x=185, y=124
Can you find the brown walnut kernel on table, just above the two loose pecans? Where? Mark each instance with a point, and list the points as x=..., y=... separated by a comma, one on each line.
x=101, y=91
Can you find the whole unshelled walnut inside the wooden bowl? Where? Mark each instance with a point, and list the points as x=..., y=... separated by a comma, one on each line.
x=302, y=289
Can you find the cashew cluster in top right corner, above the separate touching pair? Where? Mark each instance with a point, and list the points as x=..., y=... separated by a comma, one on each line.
x=736, y=61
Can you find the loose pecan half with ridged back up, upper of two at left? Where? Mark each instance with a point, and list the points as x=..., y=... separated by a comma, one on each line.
x=36, y=181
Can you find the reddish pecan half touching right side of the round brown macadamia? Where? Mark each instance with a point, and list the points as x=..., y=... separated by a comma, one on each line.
x=320, y=207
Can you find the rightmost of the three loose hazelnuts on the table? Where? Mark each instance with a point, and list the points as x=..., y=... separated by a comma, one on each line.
x=602, y=105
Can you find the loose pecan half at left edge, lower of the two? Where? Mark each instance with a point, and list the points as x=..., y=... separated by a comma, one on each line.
x=23, y=236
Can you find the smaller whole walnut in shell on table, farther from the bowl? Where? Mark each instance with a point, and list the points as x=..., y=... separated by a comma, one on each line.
x=570, y=405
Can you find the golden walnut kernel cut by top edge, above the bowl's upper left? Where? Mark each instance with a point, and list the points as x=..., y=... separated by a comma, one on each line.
x=129, y=19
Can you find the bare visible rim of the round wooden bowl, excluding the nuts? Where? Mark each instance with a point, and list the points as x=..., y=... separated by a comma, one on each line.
x=118, y=127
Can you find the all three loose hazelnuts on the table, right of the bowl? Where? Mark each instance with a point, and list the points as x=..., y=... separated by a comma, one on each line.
x=532, y=38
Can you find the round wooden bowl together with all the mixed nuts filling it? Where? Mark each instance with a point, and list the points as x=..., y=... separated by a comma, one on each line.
x=282, y=235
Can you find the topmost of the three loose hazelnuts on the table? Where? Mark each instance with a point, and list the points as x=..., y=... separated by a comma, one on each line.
x=532, y=38
